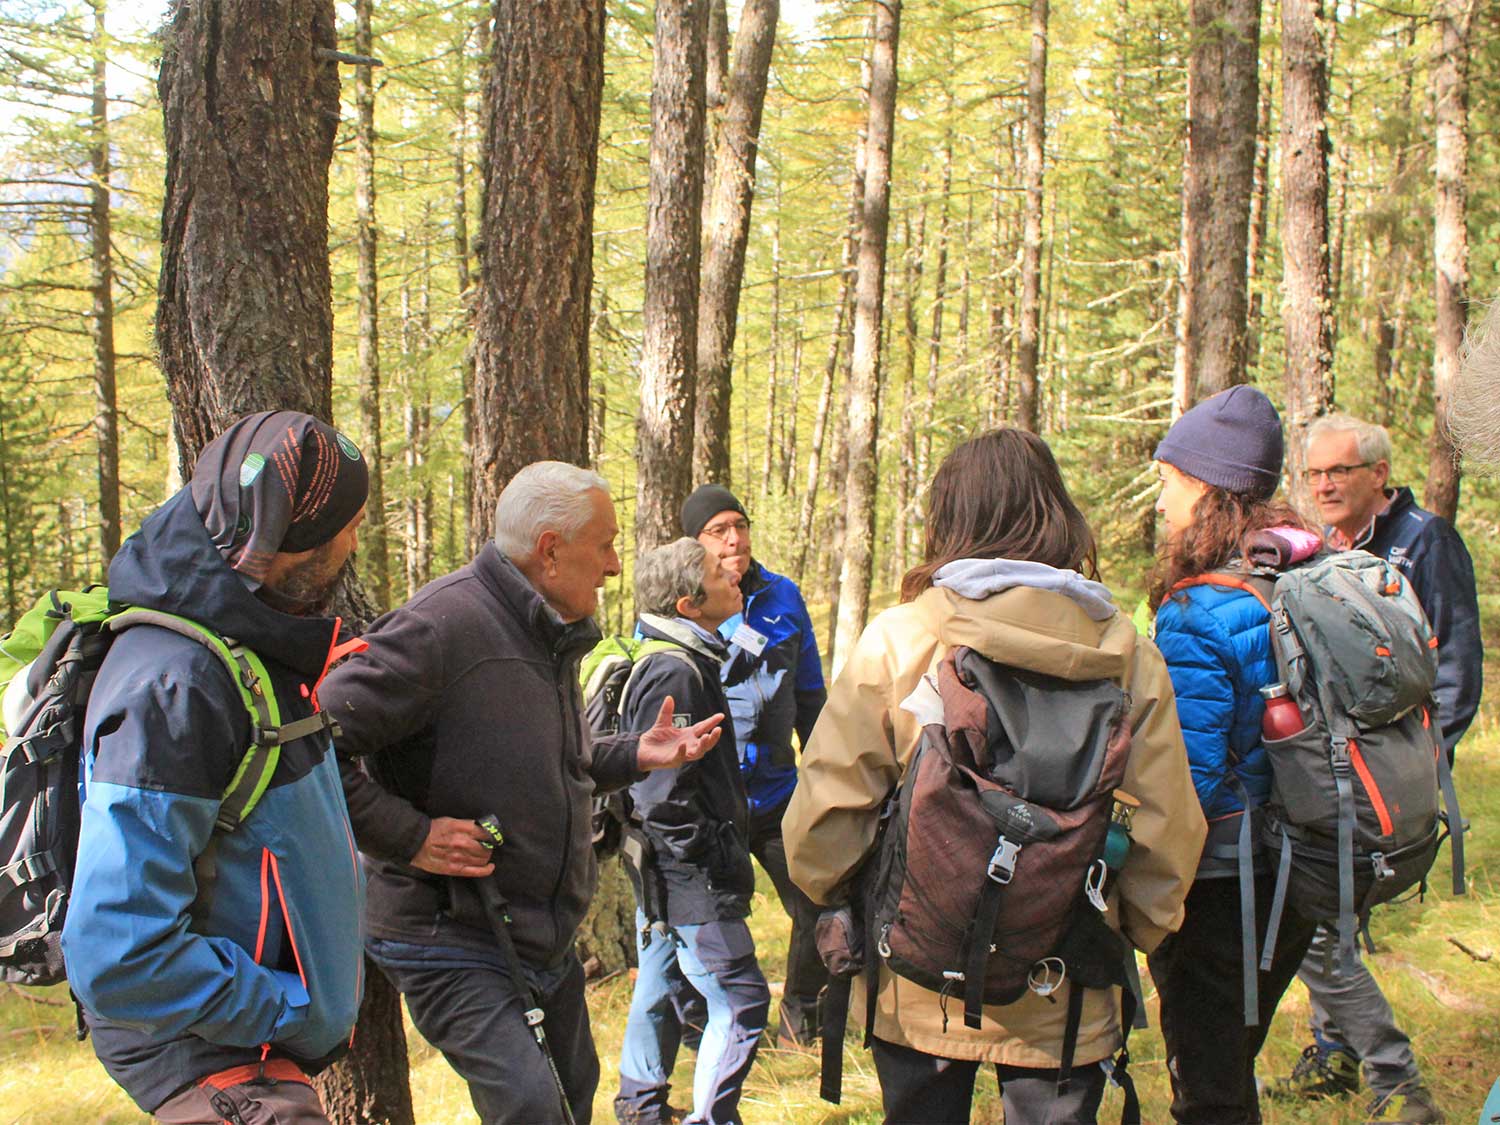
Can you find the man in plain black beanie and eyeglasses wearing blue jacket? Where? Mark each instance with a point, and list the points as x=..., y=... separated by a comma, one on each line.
x=775, y=683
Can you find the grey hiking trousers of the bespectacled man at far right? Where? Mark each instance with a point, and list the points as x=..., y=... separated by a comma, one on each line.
x=1351, y=1010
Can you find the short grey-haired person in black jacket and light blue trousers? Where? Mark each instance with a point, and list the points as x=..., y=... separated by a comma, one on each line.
x=697, y=878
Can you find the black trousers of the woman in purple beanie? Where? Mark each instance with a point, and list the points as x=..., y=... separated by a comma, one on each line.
x=1211, y=1054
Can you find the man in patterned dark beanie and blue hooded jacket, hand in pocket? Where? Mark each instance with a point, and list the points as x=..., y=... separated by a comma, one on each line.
x=214, y=989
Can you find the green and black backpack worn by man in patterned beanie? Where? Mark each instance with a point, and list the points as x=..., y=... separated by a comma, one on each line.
x=47, y=670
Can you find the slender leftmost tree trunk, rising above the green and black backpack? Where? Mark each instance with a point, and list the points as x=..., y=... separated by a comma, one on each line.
x=101, y=281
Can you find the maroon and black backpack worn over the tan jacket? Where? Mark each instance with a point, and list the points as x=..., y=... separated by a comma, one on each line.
x=994, y=869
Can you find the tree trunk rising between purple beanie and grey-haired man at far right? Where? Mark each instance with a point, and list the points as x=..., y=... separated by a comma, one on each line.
x=1309, y=313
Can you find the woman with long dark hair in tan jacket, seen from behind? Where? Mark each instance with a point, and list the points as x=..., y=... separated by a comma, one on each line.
x=1010, y=574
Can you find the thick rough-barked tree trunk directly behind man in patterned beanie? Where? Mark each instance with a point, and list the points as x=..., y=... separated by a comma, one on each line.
x=245, y=319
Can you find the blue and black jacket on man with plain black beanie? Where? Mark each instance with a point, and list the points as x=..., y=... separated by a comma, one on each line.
x=775, y=685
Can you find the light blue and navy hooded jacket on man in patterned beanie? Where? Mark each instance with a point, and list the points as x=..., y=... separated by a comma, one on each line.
x=176, y=988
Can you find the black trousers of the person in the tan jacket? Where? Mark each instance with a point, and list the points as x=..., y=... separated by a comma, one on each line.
x=926, y=1090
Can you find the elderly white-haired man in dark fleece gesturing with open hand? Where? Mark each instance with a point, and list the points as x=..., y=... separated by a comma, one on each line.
x=466, y=706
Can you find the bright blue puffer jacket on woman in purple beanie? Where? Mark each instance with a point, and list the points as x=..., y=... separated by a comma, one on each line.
x=1217, y=644
